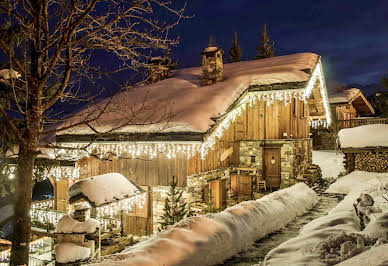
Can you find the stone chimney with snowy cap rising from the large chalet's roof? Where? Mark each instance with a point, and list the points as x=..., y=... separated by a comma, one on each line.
x=212, y=65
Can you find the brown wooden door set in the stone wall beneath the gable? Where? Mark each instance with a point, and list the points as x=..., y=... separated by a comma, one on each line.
x=271, y=166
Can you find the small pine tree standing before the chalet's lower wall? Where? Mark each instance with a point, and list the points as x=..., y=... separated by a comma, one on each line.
x=174, y=210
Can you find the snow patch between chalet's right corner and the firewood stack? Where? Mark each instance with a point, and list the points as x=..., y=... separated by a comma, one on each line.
x=330, y=162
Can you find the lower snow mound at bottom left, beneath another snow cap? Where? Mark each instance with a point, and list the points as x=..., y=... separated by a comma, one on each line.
x=69, y=252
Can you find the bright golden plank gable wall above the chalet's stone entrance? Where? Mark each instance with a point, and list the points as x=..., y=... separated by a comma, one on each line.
x=258, y=122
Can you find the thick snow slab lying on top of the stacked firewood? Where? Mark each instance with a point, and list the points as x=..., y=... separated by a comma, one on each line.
x=364, y=136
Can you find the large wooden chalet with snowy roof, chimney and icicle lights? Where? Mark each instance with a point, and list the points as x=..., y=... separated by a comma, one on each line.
x=204, y=122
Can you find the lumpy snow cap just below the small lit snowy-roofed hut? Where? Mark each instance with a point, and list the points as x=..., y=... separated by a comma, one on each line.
x=68, y=225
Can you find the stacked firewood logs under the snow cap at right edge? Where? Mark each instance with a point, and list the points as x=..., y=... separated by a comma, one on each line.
x=371, y=162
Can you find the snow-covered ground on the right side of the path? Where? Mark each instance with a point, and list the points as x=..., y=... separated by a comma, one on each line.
x=338, y=236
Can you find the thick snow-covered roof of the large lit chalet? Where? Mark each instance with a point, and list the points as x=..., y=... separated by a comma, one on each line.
x=186, y=105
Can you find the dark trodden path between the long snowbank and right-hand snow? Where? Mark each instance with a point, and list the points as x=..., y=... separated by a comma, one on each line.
x=256, y=253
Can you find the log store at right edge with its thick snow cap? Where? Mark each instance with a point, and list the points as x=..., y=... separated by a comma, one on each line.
x=365, y=148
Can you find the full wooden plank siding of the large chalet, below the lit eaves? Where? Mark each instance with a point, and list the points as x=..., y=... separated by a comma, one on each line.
x=257, y=122
